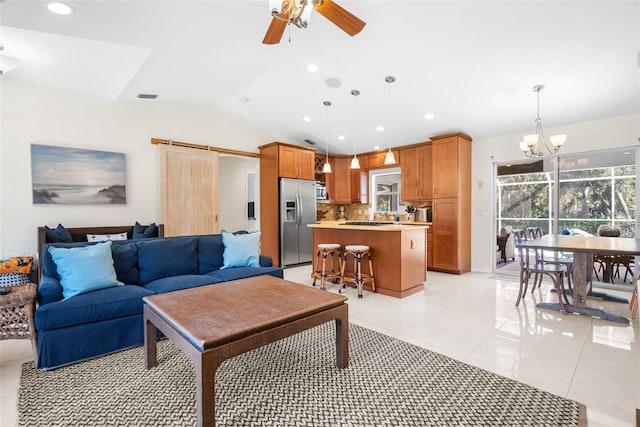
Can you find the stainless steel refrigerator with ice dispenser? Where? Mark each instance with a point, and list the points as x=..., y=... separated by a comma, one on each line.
x=297, y=209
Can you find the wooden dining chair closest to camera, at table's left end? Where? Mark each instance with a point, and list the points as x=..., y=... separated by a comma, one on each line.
x=530, y=265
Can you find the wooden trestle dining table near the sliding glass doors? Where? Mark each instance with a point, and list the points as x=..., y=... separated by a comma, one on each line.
x=583, y=249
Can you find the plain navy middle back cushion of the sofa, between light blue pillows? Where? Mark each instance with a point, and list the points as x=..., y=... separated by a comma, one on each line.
x=172, y=256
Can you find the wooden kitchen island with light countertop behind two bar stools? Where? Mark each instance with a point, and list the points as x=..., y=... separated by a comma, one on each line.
x=399, y=264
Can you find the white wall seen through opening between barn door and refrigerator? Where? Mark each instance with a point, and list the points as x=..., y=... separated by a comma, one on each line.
x=233, y=193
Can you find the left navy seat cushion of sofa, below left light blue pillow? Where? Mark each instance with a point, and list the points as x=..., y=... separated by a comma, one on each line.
x=95, y=306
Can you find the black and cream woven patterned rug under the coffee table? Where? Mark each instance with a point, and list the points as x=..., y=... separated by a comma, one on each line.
x=293, y=382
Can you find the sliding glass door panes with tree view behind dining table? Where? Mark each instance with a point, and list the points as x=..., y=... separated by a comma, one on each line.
x=595, y=189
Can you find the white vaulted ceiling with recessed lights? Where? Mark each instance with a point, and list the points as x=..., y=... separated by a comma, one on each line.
x=471, y=64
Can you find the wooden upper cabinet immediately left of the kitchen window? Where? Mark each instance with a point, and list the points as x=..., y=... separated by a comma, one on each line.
x=346, y=185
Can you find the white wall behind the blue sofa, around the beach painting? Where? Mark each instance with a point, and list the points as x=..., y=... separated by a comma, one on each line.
x=35, y=114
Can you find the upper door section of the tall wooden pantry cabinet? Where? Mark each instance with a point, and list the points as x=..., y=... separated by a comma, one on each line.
x=451, y=165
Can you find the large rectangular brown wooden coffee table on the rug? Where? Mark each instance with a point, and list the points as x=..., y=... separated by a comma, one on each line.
x=213, y=323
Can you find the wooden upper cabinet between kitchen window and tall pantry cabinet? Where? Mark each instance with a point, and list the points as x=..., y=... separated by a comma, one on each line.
x=416, y=177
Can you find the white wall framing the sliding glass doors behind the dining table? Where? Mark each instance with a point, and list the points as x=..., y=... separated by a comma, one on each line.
x=613, y=132
